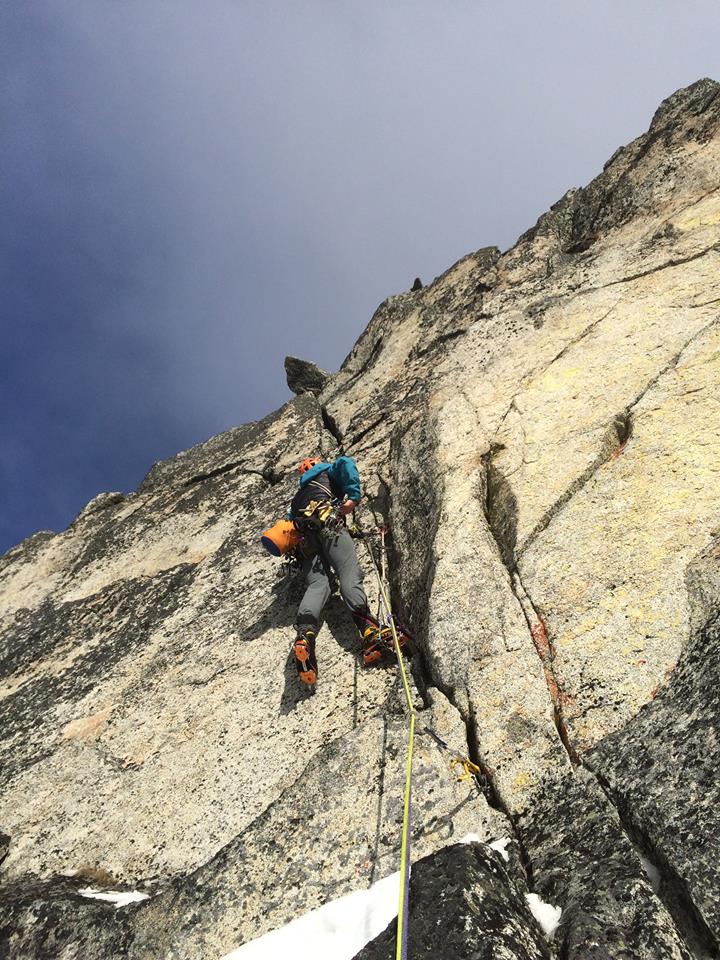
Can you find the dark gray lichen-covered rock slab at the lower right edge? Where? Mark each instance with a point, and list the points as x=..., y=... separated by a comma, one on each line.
x=660, y=770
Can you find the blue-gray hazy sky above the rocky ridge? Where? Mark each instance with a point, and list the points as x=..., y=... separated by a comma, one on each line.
x=190, y=191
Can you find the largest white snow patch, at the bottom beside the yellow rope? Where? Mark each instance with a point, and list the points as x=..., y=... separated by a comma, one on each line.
x=336, y=931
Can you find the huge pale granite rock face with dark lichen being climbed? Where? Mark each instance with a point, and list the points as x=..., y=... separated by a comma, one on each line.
x=538, y=429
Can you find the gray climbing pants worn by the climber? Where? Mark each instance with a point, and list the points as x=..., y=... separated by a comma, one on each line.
x=335, y=551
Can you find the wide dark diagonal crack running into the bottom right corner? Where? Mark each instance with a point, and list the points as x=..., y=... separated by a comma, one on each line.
x=673, y=891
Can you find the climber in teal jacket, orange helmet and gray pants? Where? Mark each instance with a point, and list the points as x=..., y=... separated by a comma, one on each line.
x=329, y=492
